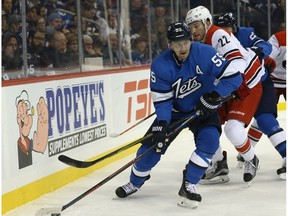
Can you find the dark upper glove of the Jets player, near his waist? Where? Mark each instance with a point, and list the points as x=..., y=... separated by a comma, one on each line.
x=209, y=103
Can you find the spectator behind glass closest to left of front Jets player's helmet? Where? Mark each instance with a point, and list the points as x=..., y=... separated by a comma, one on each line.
x=140, y=54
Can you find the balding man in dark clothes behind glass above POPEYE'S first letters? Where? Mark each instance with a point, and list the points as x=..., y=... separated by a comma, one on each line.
x=57, y=54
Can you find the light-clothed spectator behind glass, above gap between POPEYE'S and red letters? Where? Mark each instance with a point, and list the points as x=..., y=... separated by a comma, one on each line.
x=113, y=56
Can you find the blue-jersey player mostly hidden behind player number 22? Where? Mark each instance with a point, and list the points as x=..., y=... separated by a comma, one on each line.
x=266, y=114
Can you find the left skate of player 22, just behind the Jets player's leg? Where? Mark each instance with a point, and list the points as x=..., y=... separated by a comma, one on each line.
x=216, y=173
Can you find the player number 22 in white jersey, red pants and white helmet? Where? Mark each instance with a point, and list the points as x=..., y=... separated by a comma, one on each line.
x=238, y=112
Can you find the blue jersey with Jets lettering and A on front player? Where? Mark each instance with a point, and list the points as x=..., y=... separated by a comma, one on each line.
x=179, y=86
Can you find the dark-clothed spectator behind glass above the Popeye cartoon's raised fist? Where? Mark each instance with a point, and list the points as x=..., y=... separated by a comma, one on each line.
x=35, y=47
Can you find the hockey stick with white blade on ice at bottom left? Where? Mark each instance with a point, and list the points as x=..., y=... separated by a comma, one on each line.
x=58, y=210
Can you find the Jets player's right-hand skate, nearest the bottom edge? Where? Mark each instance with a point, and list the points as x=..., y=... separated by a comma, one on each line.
x=189, y=197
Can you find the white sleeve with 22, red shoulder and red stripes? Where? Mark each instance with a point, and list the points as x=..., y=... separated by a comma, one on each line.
x=245, y=60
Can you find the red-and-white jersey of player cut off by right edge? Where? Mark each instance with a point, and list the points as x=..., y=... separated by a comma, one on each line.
x=278, y=42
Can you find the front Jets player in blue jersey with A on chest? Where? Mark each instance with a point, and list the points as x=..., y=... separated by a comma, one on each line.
x=185, y=78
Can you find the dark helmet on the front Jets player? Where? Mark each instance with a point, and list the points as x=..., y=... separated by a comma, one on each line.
x=178, y=31
